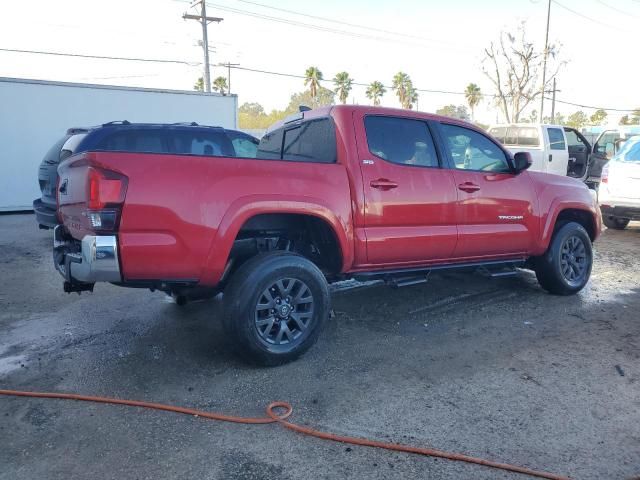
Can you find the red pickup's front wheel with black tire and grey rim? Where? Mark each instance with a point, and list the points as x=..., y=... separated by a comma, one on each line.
x=566, y=266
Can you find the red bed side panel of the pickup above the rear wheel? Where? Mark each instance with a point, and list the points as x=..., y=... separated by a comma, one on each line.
x=182, y=213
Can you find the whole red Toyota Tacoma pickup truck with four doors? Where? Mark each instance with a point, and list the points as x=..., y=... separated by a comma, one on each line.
x=332, y=193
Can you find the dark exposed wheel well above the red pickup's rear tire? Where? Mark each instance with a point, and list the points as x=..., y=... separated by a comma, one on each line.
x=307, y=235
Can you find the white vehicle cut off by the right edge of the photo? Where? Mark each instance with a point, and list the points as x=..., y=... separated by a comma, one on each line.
x=619, y=191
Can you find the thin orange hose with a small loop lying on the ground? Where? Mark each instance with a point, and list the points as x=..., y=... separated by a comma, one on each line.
x=274, y=417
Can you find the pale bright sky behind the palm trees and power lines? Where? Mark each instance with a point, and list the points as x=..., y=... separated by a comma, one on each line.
x=439, y=44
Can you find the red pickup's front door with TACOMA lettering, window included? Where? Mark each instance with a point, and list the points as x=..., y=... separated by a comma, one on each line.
x=495, y=206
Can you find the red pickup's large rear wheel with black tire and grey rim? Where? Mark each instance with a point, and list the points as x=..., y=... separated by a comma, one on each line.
x=275, y=306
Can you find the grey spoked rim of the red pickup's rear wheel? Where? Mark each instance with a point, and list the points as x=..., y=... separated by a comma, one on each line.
x=284, y=312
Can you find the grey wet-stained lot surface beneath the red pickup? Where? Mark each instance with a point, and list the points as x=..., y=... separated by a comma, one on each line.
x=492, y=368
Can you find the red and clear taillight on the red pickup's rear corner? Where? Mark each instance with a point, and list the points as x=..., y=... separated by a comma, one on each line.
x=105, y=195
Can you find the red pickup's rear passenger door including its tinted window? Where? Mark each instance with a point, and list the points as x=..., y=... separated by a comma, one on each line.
x=409, y=196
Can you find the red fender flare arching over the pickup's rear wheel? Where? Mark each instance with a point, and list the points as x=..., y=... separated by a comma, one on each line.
x=246, y=207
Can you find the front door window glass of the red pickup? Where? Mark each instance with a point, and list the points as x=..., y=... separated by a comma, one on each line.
x=471, y=150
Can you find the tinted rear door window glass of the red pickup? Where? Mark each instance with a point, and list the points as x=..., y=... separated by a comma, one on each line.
x=400, y=140
